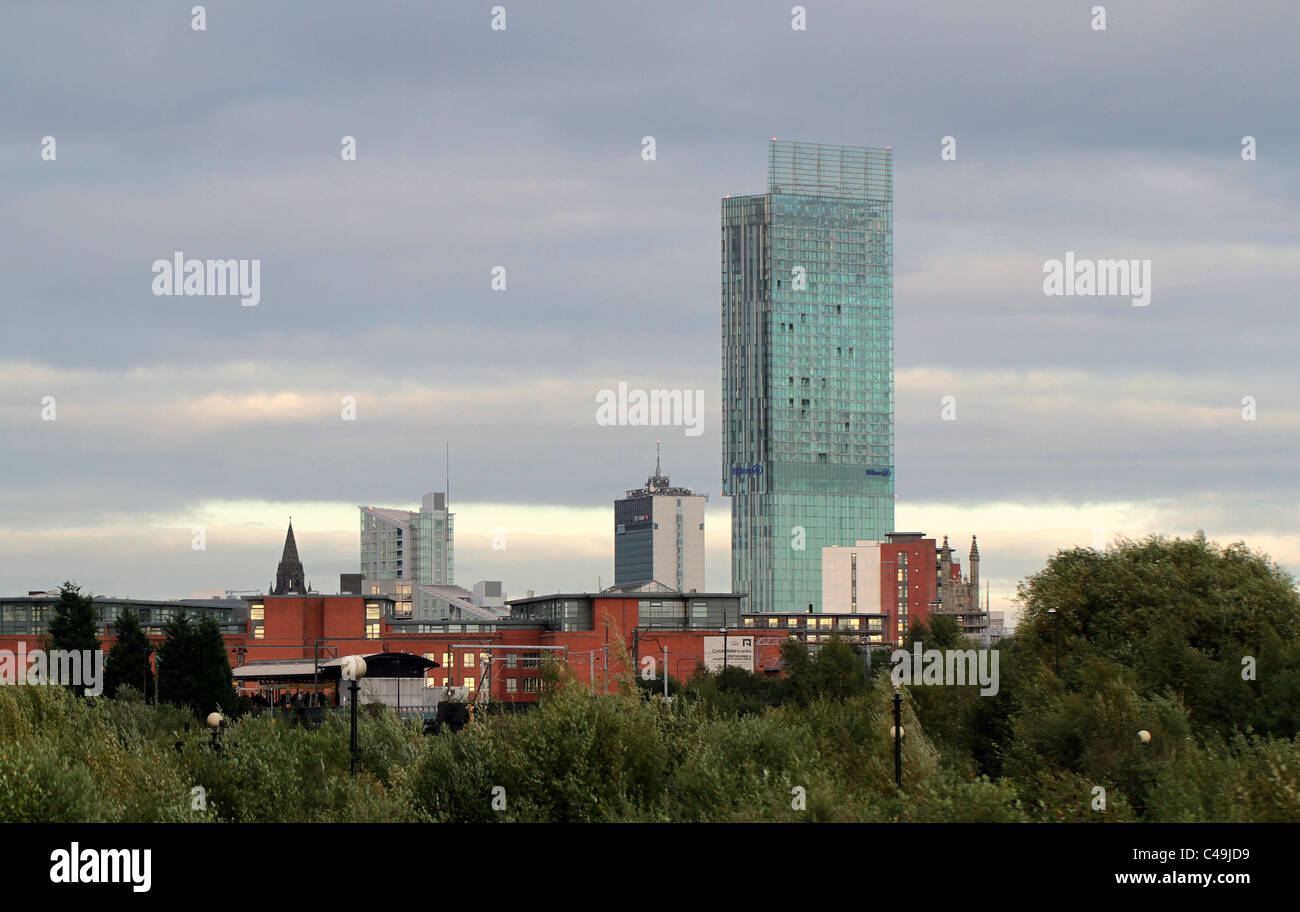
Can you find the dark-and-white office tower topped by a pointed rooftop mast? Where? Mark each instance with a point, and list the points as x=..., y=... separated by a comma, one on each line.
x=660, y=536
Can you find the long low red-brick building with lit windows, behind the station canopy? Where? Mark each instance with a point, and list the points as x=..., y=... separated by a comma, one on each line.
x=502, y=658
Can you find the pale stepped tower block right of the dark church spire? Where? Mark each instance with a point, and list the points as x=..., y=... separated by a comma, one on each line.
x=415, y=548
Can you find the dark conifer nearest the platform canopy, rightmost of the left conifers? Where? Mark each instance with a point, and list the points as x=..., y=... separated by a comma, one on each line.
x=194, y=670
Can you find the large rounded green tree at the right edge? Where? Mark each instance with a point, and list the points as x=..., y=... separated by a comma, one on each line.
x=1190, y=619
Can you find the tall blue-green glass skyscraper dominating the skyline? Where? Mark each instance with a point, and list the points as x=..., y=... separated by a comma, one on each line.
x=808, y=367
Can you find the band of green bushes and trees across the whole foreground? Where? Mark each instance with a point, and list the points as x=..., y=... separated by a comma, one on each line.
x=1198, y=646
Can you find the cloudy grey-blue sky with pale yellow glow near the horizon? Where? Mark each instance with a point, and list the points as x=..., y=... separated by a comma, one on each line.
x=1078, y=419
